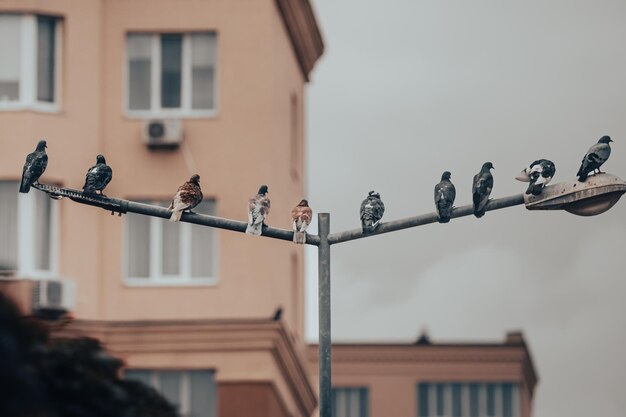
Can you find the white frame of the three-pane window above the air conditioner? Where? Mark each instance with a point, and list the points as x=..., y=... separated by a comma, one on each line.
x=156, y=111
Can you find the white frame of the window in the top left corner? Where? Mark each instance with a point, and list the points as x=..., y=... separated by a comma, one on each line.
x=28, y=60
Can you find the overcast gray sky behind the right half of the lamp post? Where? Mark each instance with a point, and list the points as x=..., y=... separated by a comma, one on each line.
x=407, y=89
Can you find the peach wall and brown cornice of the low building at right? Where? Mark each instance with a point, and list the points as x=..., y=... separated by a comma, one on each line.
x=391, y=372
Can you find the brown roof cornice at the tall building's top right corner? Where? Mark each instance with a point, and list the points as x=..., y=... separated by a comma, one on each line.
x=303, y=31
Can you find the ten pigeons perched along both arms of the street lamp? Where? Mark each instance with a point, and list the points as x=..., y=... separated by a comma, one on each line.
x=538, y=174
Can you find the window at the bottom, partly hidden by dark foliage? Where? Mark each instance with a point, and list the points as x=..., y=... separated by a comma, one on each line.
x=194, y=393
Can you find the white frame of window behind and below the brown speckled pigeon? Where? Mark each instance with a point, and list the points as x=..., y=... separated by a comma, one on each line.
x=155, y=276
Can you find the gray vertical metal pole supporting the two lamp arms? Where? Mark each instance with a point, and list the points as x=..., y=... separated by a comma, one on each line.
x=323, y=258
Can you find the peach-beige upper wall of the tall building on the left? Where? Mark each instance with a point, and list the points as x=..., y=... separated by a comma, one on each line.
x=246, y=144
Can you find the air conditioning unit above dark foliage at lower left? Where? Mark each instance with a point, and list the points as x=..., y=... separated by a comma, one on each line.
x=53, y=297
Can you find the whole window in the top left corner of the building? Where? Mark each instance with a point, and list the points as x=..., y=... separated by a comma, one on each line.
x=30, y=50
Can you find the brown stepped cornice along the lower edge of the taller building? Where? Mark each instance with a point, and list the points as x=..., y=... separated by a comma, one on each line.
x=125, y=338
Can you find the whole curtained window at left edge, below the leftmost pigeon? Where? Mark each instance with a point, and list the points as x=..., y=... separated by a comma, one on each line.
x=27, y=232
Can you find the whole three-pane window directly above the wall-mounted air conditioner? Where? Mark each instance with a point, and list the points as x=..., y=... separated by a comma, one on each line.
x=171, y=74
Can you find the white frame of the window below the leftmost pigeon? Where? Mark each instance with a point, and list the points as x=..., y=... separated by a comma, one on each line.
x=26, y=235
